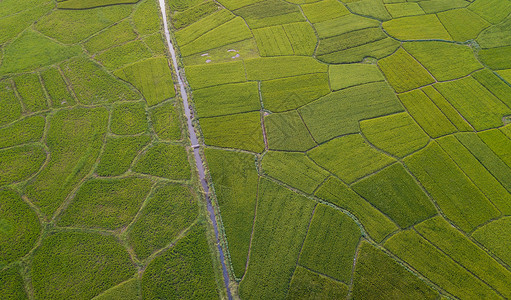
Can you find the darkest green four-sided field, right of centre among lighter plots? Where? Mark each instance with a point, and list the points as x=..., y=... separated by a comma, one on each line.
x=394, y=192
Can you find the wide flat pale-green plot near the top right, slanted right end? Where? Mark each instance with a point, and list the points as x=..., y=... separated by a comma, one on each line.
x=417, y=28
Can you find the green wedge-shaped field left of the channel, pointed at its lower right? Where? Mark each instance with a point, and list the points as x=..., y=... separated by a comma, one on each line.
x=92, y=84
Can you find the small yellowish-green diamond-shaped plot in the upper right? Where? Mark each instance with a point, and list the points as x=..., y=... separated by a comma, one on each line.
x=403, y=72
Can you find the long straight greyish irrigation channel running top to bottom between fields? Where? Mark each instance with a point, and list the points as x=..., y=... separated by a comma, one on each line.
x=195, y=145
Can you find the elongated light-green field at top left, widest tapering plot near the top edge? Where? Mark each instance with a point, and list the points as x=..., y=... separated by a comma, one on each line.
x=85, y=22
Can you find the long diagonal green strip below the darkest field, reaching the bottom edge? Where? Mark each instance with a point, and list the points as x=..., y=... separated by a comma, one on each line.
x=437, y=266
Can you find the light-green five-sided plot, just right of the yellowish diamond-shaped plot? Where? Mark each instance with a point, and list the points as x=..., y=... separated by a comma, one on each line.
x=437, y=57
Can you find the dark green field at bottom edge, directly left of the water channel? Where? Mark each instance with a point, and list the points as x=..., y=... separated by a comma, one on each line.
x=182, y=272
